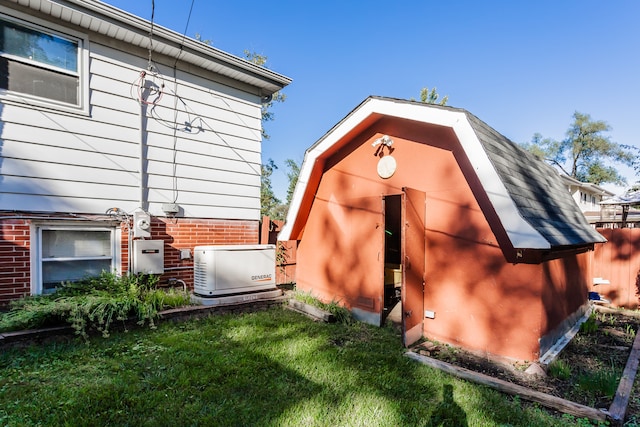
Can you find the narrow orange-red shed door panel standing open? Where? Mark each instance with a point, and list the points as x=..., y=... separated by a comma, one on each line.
x=413, y=264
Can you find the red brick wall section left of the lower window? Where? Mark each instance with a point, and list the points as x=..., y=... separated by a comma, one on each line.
x=14, y=259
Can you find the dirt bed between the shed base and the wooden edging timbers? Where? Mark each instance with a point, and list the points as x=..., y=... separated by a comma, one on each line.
x=587, y=371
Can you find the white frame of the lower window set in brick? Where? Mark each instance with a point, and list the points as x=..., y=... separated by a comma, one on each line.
x=36, y=230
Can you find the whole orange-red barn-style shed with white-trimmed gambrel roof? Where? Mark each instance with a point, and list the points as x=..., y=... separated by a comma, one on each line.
x=428, y=207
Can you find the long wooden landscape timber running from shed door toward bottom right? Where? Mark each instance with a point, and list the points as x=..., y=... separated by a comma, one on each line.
x=547, y=400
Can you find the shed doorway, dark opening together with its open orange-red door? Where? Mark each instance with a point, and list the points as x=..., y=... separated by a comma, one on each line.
x=404, y=262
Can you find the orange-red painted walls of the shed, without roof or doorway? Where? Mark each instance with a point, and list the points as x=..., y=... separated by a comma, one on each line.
x=480, y=301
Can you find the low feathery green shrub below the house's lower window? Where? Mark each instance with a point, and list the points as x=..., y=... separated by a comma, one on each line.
x=94, y=303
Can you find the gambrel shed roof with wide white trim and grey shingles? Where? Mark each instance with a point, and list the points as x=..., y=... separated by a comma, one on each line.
x=532, y=203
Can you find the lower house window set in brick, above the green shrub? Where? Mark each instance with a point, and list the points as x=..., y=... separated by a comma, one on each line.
x=72, y=253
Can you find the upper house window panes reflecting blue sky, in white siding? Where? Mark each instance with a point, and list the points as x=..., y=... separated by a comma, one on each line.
x=39, y=62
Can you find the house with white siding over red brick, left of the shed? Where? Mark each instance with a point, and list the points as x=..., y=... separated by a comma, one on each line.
x=120, y=139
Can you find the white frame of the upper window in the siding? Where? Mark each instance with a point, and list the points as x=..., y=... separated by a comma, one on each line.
x=82, y=73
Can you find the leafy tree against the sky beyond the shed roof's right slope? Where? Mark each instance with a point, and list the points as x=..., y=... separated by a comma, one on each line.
x=586, y=152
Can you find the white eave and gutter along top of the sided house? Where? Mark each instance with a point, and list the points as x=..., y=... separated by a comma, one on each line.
x=119, y=25
